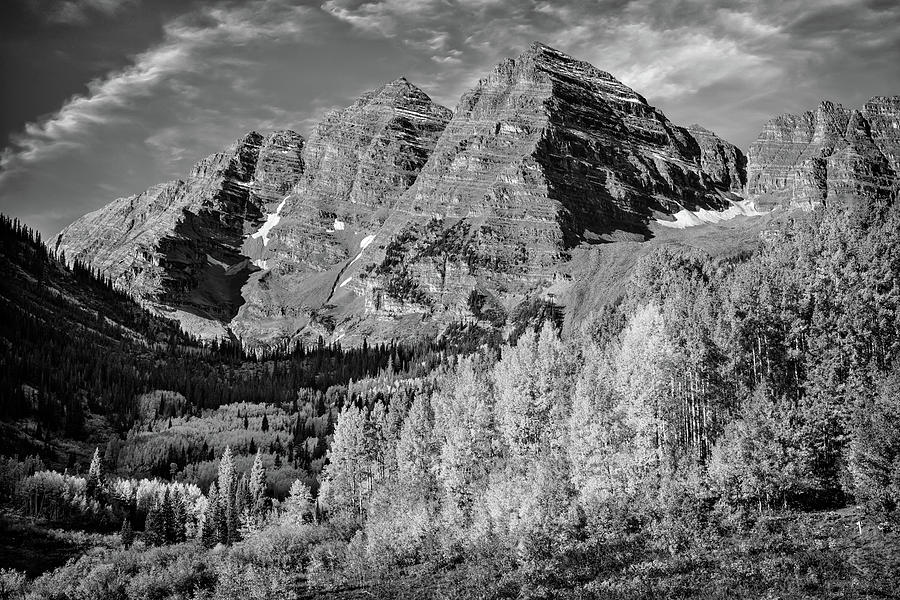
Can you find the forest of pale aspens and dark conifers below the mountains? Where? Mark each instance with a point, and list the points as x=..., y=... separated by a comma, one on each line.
x=729, y=428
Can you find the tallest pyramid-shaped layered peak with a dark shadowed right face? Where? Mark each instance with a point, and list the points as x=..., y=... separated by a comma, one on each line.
x=543, y=155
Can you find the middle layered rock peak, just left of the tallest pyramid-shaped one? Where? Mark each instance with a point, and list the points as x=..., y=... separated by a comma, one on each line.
x=359, y=161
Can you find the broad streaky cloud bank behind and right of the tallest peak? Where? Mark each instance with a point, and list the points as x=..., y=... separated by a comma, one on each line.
x=671, y=52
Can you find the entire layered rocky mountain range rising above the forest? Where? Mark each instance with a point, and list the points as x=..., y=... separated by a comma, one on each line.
x=398, y=217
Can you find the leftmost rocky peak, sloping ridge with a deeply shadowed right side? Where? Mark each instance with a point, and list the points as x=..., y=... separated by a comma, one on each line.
x=178, y=245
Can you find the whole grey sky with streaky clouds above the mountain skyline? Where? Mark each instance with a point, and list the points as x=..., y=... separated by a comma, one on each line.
x=103, y=98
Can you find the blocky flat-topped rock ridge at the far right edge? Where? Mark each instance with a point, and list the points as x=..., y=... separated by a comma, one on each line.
x=830, y=152
